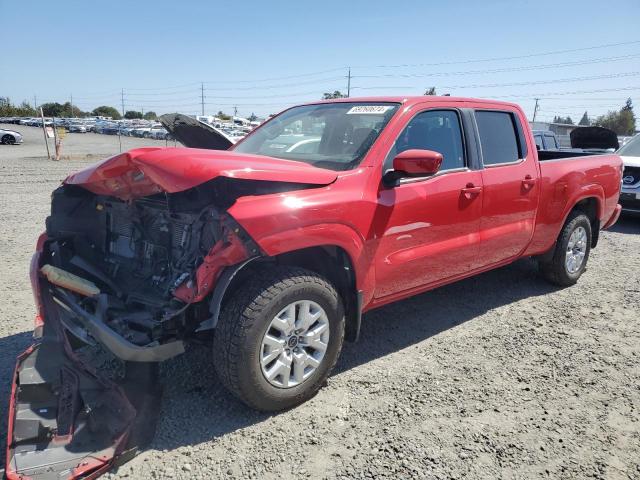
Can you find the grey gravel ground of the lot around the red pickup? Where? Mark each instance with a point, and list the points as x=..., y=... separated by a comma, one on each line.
x=498, y=376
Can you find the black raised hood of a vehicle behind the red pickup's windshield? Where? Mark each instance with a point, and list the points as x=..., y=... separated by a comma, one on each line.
x=193, y=133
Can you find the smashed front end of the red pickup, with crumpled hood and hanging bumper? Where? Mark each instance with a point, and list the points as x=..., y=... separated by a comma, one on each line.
x=129, y=263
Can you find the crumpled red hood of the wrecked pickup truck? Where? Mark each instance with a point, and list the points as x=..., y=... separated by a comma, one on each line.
x=147, y=171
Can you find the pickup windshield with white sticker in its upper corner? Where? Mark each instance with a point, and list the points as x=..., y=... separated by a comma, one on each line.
x=332, y=135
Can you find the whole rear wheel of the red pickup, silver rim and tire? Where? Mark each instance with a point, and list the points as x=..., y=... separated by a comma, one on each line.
x=571, y=252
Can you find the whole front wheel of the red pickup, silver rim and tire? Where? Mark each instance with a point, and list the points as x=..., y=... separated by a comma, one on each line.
x=278, y=338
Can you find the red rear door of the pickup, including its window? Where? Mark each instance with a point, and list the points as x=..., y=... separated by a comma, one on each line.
x=510, y=186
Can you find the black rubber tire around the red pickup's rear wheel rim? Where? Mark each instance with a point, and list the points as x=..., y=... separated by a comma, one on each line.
x=555, y=269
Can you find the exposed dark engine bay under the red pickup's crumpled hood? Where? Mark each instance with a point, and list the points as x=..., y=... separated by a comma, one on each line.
x=137, y=253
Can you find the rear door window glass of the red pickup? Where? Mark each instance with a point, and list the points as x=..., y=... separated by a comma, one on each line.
x=498, y=137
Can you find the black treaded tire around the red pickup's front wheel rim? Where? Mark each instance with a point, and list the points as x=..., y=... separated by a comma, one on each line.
x=243, y=322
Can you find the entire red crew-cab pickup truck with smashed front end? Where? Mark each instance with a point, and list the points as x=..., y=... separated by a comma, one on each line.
x=272, y=250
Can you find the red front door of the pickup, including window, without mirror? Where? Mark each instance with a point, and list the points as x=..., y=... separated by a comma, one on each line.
x=428, y=227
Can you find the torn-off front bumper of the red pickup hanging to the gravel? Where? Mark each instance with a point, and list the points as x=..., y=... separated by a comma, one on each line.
x=66, y=421
